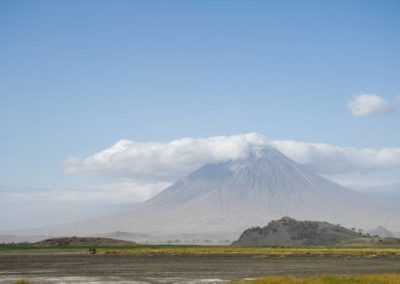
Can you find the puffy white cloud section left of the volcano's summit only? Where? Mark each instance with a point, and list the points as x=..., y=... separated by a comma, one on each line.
x=148, y=161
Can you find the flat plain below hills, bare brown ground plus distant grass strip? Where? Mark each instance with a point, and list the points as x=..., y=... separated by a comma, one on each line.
x=187, y=264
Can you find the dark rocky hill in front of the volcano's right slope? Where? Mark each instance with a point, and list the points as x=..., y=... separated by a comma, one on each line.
x=290, y=232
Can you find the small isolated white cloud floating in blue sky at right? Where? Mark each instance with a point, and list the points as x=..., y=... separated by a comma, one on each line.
x=368, y=105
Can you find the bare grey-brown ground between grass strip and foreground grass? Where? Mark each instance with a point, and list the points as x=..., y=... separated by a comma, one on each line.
x=130, y=268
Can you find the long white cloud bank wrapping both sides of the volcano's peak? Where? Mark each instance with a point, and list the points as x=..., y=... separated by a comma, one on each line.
x=156, y=162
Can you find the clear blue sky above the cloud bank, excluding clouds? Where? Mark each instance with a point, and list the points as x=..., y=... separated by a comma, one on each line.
x=76, y=76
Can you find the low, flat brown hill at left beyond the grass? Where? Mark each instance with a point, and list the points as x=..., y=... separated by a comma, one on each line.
x=82, y=241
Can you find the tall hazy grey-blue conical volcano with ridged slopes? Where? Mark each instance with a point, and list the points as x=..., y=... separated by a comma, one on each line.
x=220, y=200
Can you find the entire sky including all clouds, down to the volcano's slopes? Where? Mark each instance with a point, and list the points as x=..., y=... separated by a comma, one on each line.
x=104, y=104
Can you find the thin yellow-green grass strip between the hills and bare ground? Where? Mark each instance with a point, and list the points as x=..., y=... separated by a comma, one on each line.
x=368, y=251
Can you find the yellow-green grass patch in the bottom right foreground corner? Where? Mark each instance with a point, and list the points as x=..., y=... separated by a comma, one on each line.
x=328, y=279
